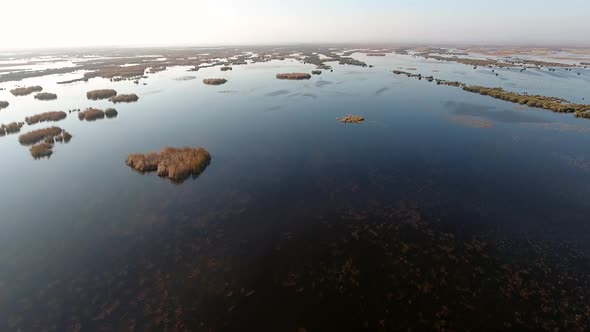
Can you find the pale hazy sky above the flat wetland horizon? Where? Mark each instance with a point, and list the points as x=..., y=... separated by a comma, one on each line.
x=57, y=23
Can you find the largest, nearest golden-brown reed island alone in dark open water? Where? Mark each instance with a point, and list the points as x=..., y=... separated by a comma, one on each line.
x=175, y=163
